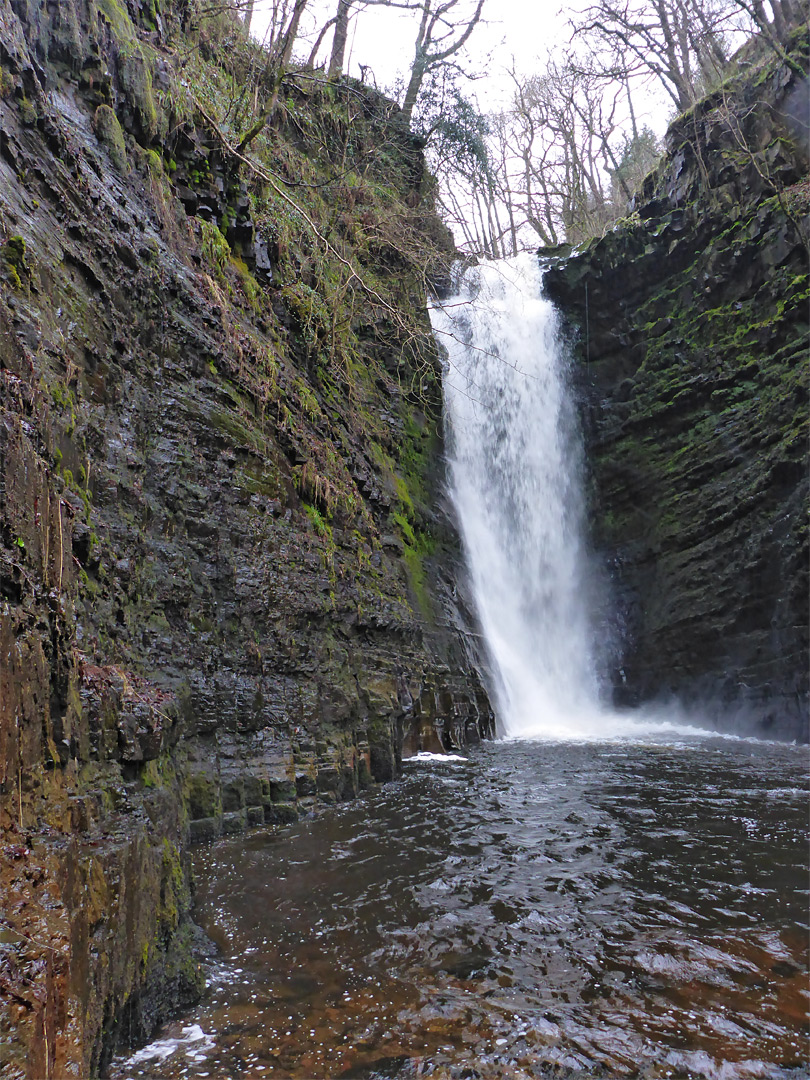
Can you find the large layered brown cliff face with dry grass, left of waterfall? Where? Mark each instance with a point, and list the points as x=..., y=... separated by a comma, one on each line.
x=224, y=565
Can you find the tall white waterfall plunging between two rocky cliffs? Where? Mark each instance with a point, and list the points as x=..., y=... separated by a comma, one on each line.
x=515, y=460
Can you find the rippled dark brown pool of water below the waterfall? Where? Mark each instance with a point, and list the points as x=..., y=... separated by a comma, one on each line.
x=598, y=910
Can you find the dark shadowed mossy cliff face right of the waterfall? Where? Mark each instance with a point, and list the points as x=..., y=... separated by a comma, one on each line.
x=693, y=323
